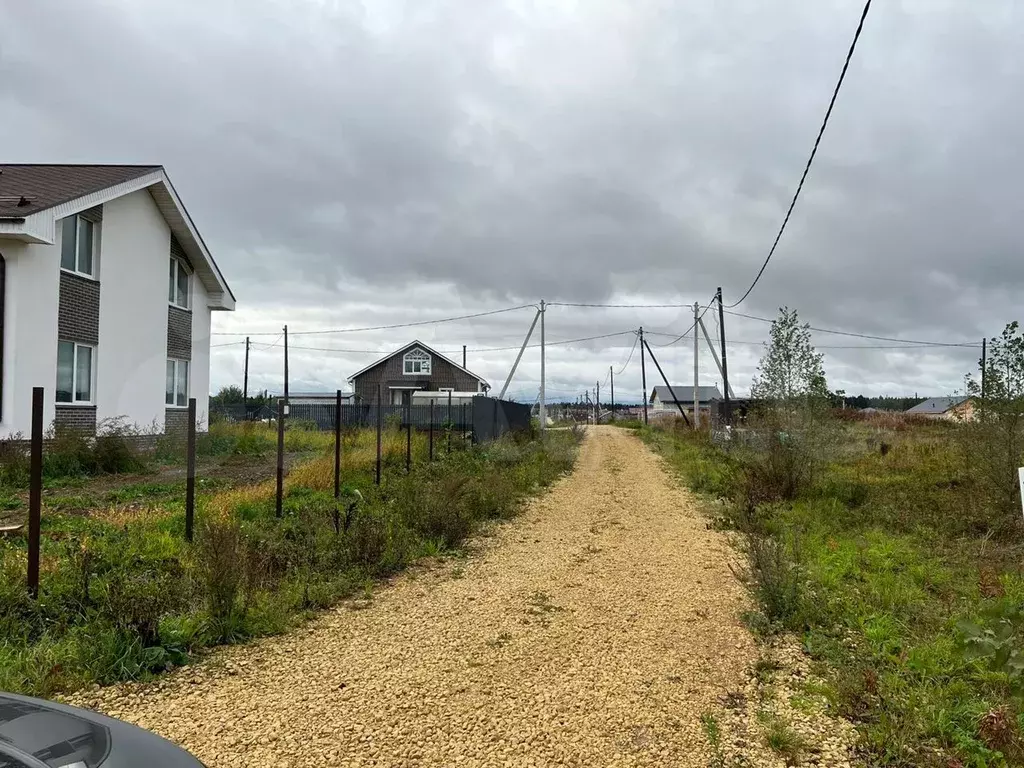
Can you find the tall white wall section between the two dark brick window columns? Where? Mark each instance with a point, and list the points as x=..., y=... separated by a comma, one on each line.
x=132, y=359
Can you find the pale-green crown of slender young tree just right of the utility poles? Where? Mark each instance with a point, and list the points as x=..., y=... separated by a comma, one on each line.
x=791, y=370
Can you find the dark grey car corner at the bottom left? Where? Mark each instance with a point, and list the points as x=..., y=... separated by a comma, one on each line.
x=36, y=734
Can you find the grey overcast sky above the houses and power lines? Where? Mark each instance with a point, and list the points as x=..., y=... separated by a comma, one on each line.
x=360, y=164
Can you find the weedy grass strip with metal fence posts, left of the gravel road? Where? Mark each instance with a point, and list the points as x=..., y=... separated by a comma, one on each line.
x=124, y=596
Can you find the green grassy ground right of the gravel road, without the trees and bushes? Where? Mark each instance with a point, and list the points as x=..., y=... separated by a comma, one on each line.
x=895, y=578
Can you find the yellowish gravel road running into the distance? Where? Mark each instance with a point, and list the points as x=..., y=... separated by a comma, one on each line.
x=593, y=631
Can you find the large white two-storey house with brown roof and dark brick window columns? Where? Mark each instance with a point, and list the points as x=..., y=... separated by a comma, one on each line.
x=107, y=291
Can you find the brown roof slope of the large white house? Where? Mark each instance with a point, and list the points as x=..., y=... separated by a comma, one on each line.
x=26, y=190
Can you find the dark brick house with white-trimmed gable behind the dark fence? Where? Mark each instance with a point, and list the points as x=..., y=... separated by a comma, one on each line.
x=414, y=368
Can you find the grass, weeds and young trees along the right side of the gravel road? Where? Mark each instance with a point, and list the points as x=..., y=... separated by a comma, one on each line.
x=892, y=547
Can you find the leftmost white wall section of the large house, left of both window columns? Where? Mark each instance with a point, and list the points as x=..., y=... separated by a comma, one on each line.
x=31, y=332
